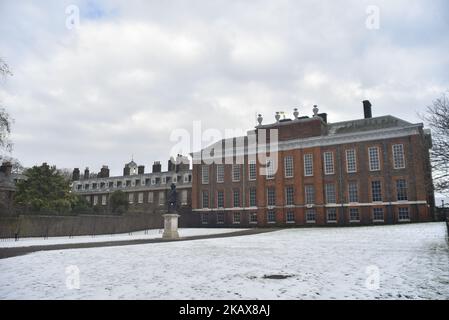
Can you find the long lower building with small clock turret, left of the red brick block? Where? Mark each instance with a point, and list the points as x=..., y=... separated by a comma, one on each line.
x=147, y=192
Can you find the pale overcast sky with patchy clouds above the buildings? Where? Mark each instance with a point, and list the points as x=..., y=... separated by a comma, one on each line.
x=133, y=71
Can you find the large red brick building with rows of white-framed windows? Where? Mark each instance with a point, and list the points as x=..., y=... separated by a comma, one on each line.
x=360, y=172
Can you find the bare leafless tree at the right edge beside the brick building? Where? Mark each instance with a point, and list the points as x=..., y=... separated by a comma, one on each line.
x=437, y=117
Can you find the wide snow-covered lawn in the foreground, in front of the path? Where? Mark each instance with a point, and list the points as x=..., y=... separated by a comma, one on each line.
x=336, y=263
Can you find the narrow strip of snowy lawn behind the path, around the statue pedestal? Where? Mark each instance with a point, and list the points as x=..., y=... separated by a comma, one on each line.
x=139, y=235
